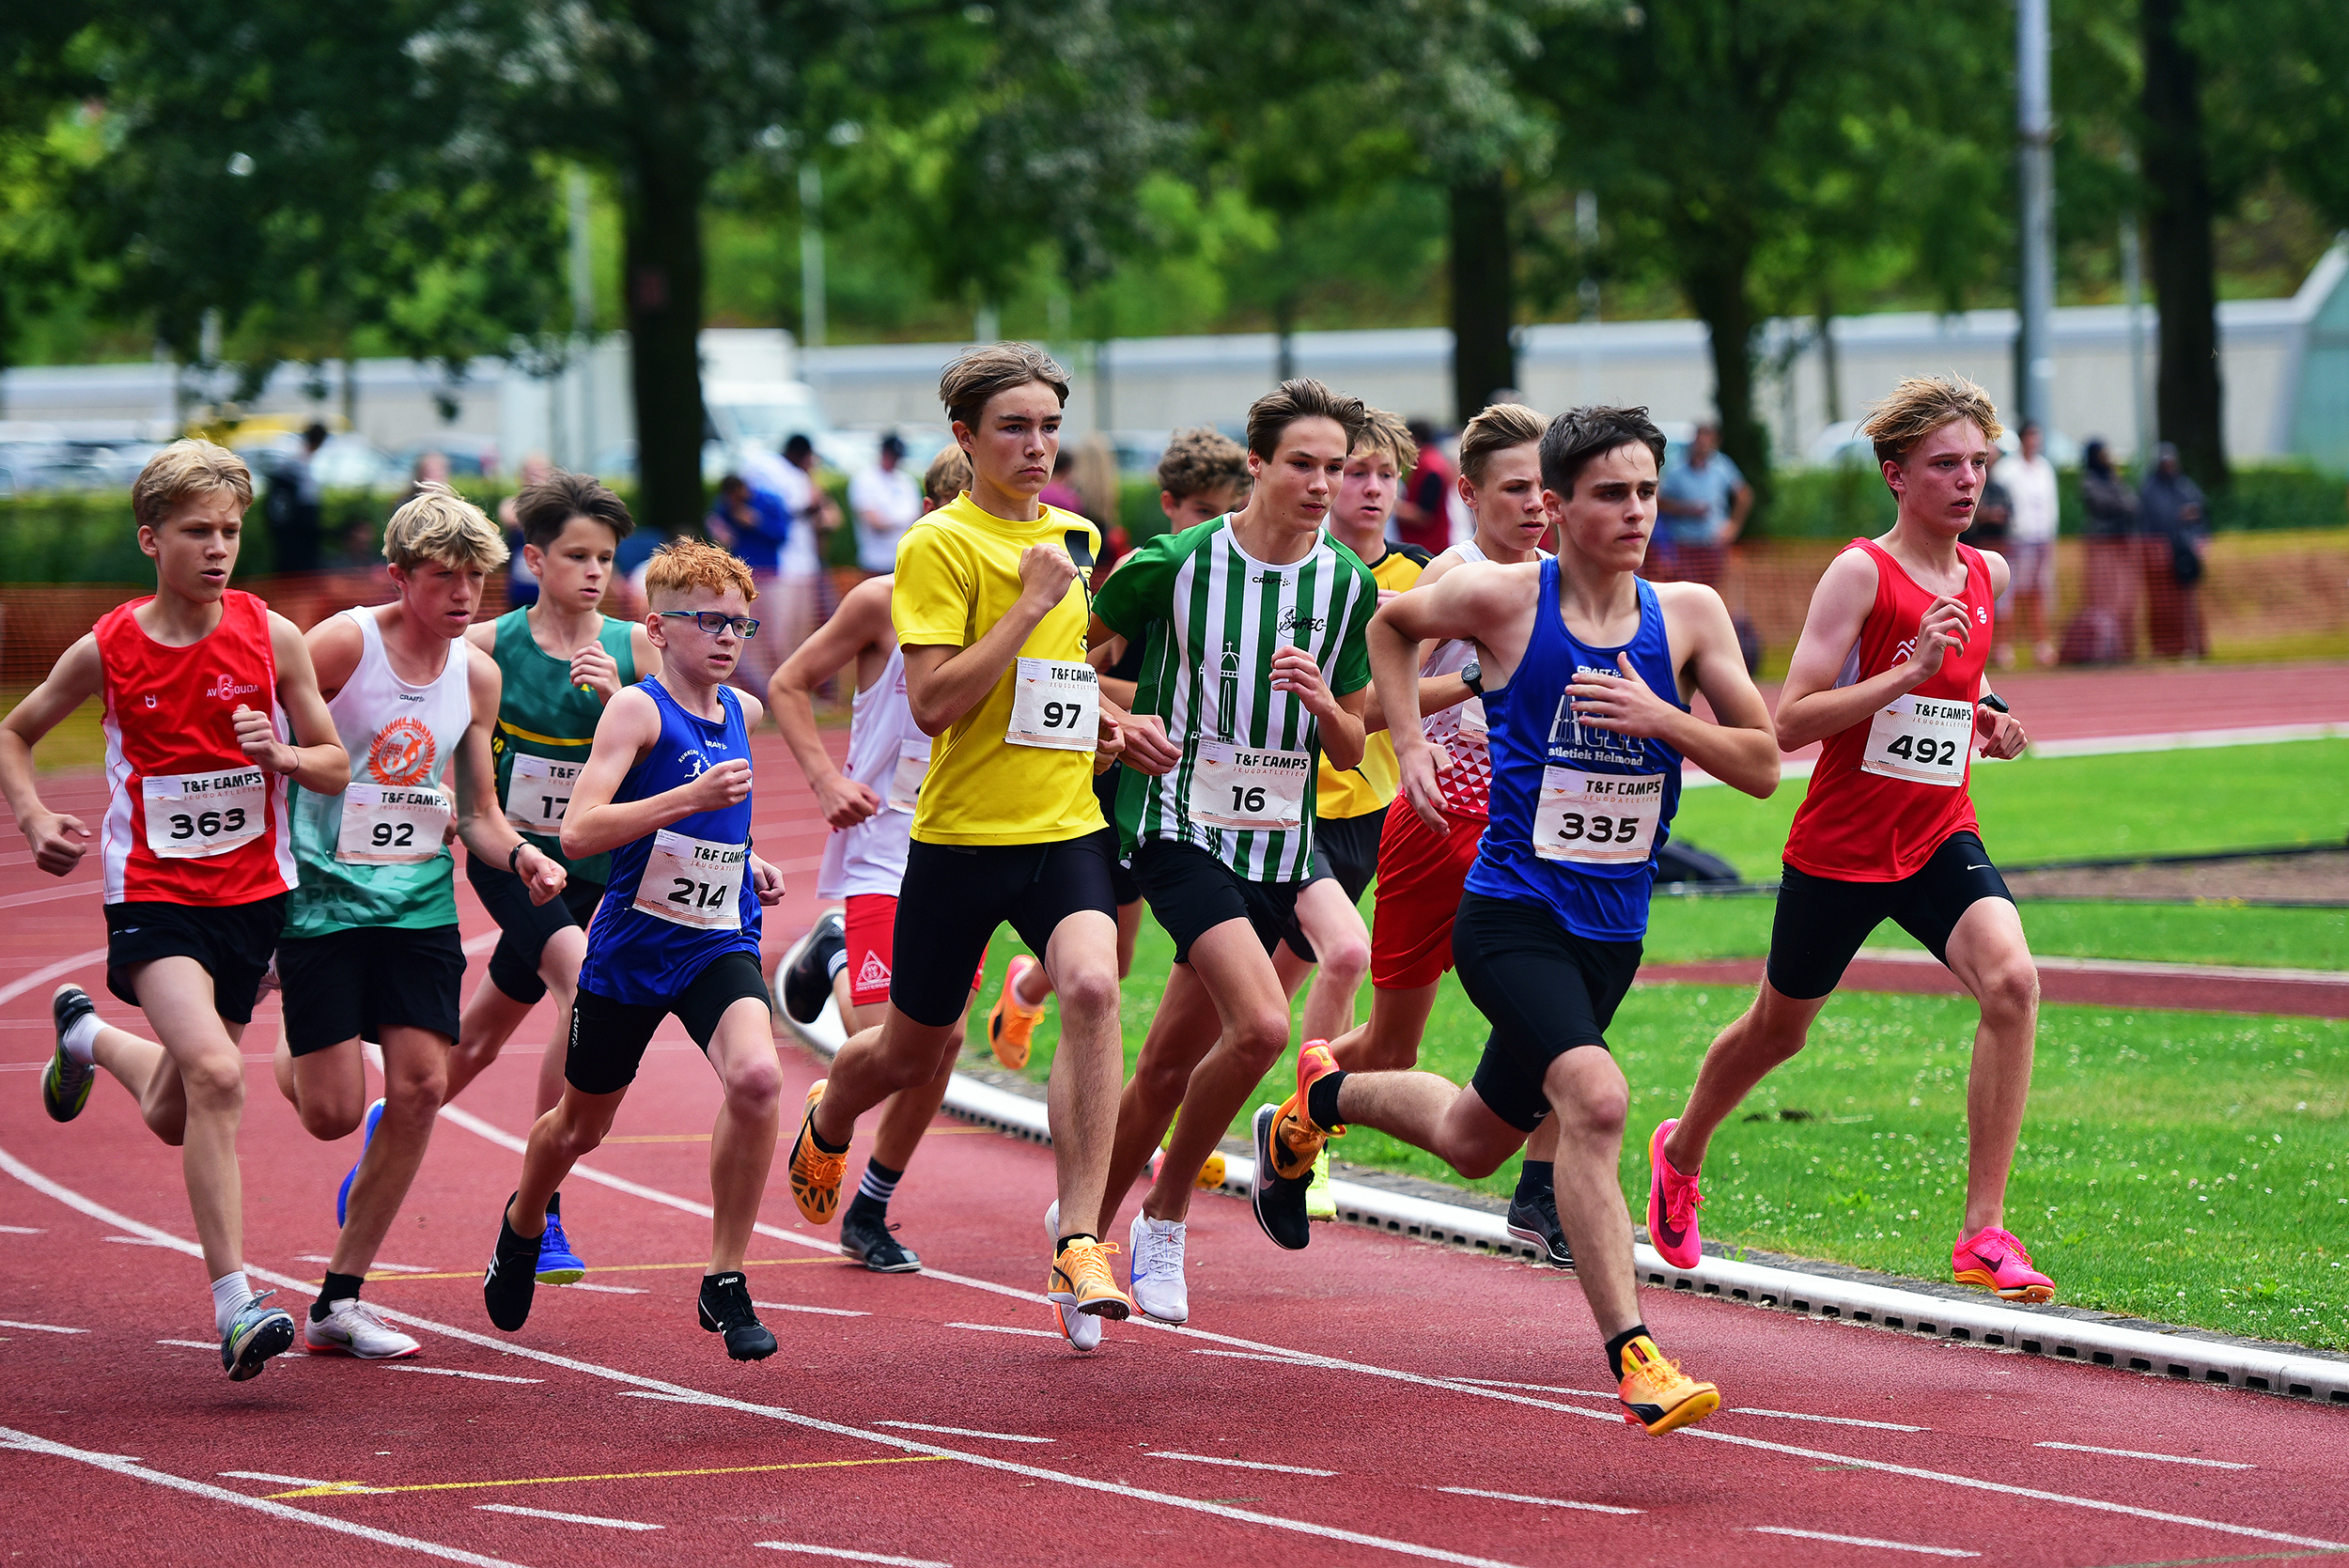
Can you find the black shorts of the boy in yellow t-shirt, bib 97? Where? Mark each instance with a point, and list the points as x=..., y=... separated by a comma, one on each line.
x=957, y=895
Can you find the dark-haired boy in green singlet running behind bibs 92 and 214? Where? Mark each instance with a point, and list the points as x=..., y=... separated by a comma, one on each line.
x=560, y=661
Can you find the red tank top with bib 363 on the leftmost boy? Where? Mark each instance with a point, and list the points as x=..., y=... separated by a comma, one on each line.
x=189, y=818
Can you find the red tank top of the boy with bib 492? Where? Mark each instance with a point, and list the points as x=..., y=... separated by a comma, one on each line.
x=1894, y=788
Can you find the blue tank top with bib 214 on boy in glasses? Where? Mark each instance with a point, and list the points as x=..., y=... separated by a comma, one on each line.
x=645, y=959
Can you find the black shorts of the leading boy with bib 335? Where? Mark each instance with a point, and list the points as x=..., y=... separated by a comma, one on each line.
x=1544, y=992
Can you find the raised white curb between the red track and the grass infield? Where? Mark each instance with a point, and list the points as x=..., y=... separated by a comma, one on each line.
x=2282, y=1370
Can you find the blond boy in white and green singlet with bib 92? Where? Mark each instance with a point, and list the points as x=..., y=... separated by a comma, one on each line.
x=370, y=949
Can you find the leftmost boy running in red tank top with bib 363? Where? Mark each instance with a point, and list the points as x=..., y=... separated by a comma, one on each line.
x=201, y=682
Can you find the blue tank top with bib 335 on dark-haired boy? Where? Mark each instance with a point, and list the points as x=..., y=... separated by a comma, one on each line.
x=1598, y=804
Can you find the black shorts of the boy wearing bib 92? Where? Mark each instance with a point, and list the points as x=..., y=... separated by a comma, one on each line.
x=356, y=985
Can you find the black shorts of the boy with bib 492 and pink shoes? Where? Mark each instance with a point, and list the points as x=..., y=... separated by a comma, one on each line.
x=1822, y=924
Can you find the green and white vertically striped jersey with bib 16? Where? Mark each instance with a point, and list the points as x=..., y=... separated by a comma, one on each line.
x=1211, y=621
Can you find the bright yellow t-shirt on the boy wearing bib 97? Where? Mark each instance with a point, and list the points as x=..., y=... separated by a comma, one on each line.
x=957, y=576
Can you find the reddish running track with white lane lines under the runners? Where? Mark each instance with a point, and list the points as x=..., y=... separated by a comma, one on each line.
x=1352, y=1421
